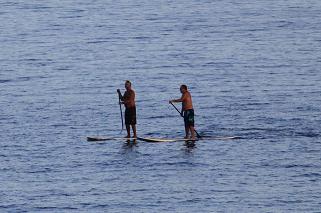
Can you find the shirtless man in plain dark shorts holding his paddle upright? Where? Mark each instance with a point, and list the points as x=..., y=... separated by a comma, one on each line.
x=128, y=99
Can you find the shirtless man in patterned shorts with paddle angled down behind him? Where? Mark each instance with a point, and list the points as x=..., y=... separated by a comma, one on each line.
x=187, y=111
